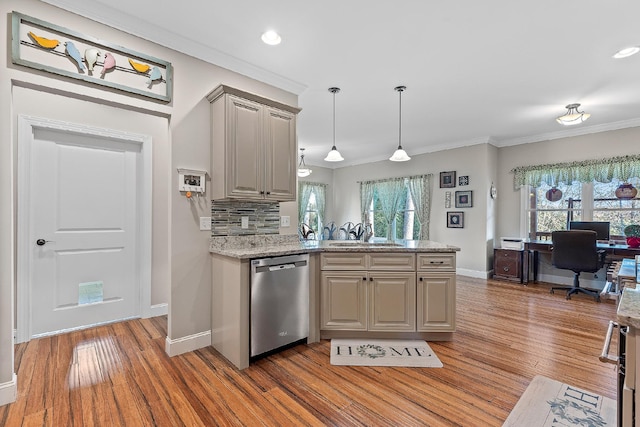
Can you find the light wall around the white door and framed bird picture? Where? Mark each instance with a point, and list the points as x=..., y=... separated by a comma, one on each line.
x=181, y=133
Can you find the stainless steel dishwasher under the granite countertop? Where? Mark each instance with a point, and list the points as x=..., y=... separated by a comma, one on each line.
x=279, y=302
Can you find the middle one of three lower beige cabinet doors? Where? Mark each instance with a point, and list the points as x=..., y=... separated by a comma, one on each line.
x=392, y=301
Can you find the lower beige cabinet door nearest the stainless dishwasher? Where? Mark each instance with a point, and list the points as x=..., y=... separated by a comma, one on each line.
x=343, y=303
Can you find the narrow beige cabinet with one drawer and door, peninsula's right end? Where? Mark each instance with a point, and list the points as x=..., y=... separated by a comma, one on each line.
x=436, y=292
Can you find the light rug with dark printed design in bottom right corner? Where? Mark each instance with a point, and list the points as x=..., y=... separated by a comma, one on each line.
x=548, y=403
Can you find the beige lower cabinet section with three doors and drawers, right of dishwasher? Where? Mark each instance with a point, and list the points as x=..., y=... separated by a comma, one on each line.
x=389, y=294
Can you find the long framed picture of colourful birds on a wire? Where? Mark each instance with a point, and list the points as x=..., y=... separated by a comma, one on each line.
x=48, y=47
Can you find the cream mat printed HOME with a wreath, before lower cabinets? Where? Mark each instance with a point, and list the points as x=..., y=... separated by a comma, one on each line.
x=366, y=352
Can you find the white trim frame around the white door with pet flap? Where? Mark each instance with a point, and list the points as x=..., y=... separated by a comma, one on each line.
x=27, y=126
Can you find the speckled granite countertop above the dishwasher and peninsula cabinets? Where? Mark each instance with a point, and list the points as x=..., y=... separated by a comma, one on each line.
x=247, y=247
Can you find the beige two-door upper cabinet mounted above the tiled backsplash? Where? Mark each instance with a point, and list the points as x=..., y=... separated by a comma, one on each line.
x=253, y=150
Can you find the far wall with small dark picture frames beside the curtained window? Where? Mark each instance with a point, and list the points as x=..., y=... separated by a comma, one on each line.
x=477, y=162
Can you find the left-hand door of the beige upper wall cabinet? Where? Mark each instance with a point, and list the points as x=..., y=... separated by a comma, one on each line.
x=244, y=149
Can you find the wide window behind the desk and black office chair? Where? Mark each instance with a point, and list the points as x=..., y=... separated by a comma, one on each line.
x=551, y=208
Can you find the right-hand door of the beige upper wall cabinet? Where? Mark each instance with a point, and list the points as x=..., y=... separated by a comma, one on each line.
x=281, y=157
